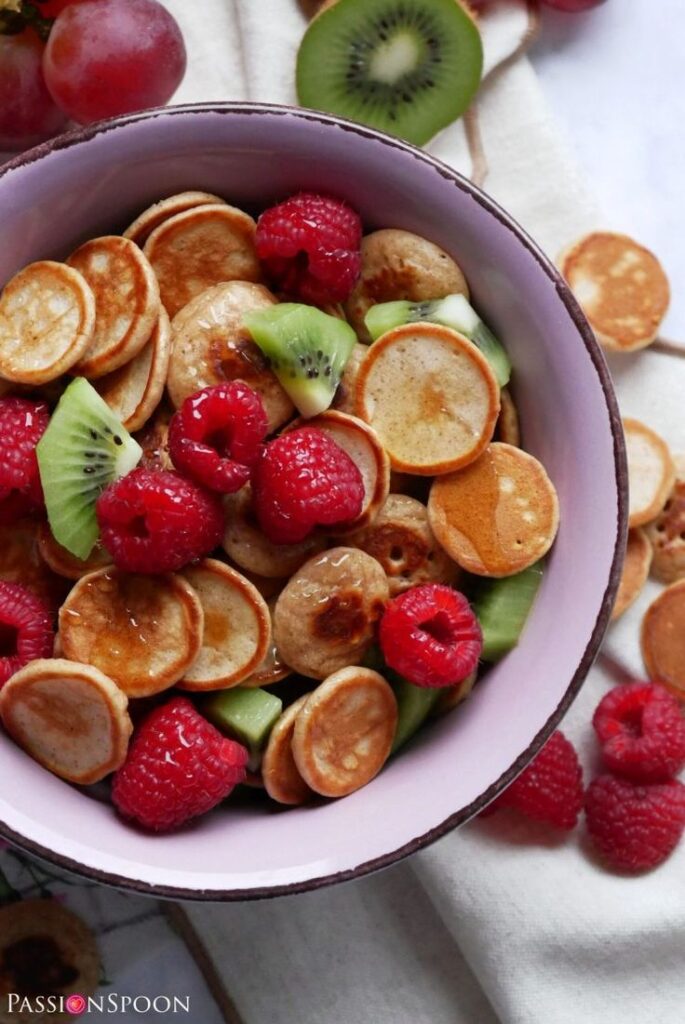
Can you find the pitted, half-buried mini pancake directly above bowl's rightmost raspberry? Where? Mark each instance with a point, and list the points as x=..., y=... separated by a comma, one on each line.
x=401, y=539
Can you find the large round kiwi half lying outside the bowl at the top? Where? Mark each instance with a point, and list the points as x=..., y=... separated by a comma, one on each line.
x=407, y=67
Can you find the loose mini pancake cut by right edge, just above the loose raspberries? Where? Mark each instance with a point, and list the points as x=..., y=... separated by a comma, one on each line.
x=664, y=639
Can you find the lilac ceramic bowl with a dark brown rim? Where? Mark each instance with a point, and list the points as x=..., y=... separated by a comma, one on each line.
x=95, y=183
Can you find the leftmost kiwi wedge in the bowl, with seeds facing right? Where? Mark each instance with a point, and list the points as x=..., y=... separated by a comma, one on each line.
x=83, y=450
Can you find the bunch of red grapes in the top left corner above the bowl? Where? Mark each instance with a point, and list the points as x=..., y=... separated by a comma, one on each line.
x=82, y=60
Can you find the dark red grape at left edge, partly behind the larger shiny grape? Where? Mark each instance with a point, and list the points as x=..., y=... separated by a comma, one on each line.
x=28, y=114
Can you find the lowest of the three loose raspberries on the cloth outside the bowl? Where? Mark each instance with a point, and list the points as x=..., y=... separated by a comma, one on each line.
x=634, y=828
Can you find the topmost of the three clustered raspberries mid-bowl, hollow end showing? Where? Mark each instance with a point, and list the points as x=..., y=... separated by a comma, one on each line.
x=217, y=436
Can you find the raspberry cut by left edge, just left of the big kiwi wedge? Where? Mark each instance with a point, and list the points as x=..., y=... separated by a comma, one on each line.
x=23, y=423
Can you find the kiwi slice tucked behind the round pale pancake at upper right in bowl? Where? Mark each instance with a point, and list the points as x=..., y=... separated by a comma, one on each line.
x=455, y=312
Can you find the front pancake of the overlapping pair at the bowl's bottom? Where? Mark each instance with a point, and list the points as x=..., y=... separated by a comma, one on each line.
x=344, y=735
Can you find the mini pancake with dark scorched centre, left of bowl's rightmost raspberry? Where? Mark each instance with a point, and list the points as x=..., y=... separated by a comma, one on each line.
x=326, y=617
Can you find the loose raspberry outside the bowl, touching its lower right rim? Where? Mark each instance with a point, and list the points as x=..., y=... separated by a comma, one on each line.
x=550, y=790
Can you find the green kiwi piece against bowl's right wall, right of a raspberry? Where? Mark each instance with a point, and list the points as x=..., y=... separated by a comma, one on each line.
x=503, y=608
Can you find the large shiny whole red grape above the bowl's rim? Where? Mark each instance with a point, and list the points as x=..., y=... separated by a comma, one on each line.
x=106, y=58
